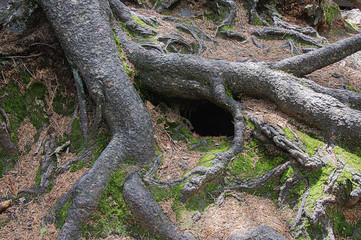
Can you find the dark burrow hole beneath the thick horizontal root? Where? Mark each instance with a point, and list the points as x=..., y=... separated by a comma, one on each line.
x=208, y=119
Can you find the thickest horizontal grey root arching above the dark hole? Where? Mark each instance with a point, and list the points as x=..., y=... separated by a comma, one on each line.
x=185, y=76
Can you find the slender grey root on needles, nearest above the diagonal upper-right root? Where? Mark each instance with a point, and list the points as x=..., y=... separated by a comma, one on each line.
x=279, y=34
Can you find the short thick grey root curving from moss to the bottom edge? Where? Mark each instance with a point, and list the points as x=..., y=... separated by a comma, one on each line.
x=147, y=211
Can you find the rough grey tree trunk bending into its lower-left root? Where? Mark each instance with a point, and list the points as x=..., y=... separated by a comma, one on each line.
x=101, y=69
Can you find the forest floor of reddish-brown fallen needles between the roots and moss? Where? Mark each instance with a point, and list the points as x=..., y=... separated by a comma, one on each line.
x=23, y=220
